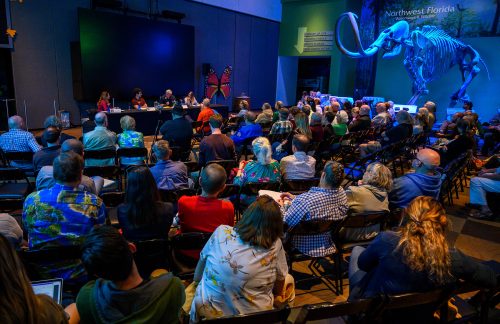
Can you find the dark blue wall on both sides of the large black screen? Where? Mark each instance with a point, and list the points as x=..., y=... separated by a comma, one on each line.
x=42, y=61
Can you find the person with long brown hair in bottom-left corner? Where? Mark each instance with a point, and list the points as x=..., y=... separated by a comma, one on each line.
x=19, y=302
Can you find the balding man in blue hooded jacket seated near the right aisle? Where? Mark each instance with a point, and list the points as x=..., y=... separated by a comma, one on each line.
x=425, y=181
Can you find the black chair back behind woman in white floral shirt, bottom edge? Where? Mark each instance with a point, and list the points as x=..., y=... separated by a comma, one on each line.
x=270, y=316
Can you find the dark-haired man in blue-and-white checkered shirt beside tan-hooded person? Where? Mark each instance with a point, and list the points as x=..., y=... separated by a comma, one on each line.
x=326, y=202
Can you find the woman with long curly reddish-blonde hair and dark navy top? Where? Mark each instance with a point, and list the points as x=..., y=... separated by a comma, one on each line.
x=414, y=259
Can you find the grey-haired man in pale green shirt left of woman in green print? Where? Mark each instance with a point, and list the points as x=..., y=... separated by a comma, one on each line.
x=99, y=139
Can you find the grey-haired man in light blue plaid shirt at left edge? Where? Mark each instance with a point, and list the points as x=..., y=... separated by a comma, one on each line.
x=18, y=140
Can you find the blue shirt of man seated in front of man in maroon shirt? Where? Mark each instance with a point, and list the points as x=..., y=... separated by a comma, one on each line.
x=170, y=175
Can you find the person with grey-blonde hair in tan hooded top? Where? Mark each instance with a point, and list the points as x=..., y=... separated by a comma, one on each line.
x=370, y=195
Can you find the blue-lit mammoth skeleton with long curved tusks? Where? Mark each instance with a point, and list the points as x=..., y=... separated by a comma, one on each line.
x=429, y=53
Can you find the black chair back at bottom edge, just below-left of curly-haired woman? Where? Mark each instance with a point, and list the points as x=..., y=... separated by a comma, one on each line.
x=324, y=311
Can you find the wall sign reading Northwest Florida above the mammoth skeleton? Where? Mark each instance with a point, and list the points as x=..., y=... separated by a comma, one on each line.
x=458, y=18
